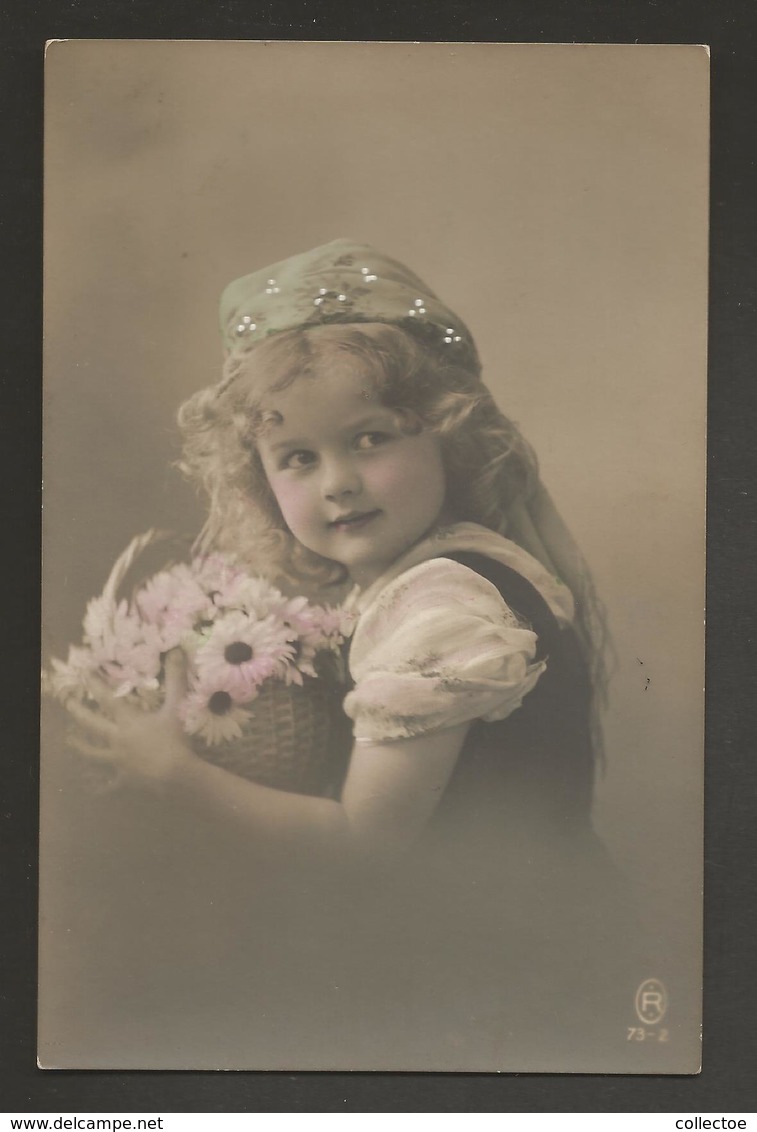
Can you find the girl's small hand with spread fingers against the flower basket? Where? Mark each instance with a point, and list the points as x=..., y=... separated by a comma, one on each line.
x=145, y=749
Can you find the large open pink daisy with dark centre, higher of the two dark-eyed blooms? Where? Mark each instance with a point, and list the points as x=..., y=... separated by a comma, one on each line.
x=240, y=654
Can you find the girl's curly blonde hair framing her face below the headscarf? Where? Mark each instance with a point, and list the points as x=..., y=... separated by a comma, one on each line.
x=488, y=464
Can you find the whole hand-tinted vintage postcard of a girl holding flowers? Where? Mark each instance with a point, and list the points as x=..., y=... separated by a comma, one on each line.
x=374, y=556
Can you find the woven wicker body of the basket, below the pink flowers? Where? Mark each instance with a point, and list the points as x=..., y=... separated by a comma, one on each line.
x=297, y=739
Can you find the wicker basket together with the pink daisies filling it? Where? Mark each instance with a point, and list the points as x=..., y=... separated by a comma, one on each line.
x=265, y=672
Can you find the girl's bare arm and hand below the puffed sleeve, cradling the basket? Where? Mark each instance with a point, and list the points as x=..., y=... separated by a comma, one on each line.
x=390, y=794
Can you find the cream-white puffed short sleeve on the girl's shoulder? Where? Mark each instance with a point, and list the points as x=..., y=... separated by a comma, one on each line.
x=438, y=647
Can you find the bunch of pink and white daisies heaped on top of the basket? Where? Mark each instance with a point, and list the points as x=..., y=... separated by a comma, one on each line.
x=238, y=632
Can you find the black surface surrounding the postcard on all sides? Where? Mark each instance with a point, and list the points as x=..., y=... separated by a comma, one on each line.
x=728, y=1082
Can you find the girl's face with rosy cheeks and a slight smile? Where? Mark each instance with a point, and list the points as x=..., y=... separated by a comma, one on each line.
x=350, y=484
